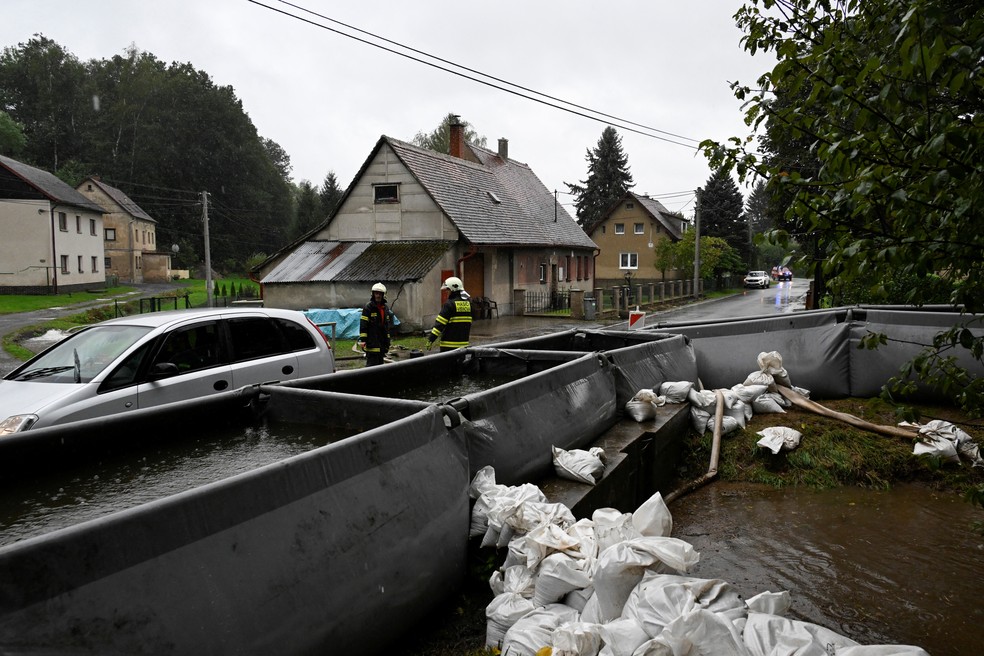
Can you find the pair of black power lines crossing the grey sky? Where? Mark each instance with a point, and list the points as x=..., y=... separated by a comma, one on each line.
x=621, y=123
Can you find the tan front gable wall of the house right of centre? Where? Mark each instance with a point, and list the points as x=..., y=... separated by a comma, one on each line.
x=611, y=245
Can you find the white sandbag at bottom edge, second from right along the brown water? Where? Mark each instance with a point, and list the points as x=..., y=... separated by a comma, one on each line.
x=766, y=635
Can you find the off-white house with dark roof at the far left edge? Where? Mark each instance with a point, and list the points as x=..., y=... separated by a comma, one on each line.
x=52, y=235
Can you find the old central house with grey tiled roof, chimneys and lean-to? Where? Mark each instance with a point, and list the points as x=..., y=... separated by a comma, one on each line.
x=412, y=217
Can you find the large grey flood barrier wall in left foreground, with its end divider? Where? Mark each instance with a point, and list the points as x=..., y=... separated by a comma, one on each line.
x=312, y=554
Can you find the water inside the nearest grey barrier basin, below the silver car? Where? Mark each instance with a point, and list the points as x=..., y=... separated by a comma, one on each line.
x=95, y=489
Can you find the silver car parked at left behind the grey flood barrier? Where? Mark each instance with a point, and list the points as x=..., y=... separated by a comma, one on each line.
x=148, y=360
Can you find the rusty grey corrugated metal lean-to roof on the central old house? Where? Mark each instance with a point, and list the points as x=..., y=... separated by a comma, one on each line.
x=333, y=261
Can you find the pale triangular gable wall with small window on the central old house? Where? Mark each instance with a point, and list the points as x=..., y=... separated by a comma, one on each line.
x=414, y=217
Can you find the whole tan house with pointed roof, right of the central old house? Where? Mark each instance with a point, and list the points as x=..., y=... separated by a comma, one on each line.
x=628, y=237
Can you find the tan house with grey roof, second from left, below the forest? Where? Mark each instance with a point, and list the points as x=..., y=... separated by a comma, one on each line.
x=130, y=236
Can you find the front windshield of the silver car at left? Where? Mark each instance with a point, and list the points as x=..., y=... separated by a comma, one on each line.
x=82, y=356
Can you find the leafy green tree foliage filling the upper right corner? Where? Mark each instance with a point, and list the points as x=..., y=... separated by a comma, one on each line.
x=875, y=135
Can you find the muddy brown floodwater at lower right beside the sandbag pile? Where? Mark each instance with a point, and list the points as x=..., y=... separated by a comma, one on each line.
x=896, y=567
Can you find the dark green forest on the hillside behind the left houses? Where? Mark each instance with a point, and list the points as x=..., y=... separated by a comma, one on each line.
x=162, y=133
